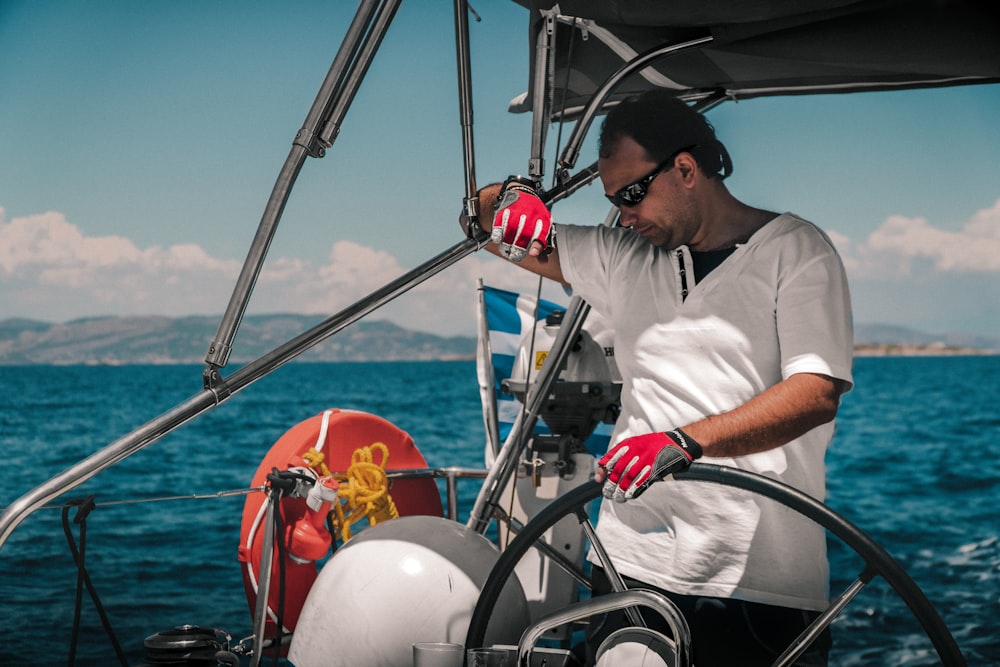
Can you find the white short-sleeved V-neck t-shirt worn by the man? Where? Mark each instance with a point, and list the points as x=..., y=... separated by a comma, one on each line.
x=779, y=305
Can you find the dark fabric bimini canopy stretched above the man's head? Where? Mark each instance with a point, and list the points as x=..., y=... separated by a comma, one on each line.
x=765, y=47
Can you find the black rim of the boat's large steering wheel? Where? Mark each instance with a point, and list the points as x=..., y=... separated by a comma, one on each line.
x=877, y=561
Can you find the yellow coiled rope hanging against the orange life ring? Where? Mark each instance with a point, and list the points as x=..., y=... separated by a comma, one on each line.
x=363, y=492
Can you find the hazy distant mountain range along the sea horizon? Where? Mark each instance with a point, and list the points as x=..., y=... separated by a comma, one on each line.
x=165, y=340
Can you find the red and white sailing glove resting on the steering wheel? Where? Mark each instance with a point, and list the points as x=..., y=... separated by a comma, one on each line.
x=635, y=463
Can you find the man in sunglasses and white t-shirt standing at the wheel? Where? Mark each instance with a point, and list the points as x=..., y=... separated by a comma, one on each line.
x=733, y=338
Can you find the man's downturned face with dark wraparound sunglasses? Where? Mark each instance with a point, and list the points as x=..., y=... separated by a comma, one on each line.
x=666, y=216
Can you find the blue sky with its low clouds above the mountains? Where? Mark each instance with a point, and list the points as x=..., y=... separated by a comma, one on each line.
x=139, y=143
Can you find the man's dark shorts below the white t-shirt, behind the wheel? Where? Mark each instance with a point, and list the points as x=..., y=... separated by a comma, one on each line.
x=724, y=631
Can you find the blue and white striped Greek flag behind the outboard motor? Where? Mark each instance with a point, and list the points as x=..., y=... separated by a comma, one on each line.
x=505, y=319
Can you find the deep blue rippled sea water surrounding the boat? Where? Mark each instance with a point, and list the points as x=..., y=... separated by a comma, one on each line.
x=915, y=464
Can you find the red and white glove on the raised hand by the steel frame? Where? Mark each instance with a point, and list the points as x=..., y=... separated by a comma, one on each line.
x=520, y=220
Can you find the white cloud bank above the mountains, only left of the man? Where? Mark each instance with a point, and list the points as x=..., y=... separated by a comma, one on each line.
x=50, y=270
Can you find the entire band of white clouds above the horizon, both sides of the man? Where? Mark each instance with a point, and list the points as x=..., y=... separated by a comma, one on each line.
x=51, y=270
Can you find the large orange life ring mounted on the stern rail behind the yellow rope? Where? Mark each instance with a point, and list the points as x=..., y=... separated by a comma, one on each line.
x=346, y=431
